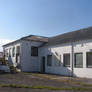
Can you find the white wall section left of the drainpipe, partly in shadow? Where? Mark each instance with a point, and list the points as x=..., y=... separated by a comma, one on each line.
x=61, y=49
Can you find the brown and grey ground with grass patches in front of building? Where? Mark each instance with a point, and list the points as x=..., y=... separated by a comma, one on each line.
x=36, y=82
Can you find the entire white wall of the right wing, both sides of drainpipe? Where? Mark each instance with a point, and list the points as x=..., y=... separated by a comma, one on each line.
x=80, y=46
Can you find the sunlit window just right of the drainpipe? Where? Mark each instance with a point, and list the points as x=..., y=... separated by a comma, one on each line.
x=79, y=60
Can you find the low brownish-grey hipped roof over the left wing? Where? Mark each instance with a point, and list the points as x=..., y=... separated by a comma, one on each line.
x=30, y=38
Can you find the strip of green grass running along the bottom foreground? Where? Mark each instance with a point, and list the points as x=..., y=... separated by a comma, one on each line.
x=44, y=87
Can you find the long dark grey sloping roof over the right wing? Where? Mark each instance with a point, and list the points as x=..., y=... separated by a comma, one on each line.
x=81, y=34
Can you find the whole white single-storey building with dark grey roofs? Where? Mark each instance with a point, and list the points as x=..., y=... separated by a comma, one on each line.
x=67, y=54
